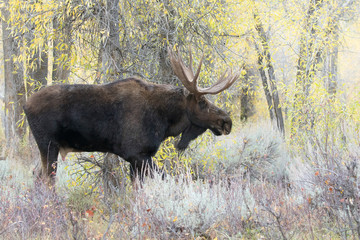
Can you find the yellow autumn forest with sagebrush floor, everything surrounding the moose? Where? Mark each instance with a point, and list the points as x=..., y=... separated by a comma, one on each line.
x=289, y=169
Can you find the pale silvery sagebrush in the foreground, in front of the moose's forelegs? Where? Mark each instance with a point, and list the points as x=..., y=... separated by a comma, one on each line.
x=179, y=207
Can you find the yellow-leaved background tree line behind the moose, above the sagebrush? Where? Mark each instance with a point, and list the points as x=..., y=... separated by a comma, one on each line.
x=289, y=48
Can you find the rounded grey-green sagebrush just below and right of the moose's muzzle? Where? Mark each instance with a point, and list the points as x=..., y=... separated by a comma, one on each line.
x=257, y=152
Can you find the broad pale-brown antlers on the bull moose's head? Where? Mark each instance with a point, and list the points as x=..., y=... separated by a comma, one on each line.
x=189, y=80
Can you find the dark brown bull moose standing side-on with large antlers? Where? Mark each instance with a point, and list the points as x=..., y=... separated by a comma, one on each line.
x=129, y=117
